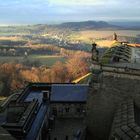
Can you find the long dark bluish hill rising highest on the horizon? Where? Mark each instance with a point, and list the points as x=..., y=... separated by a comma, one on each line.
x=86, y=25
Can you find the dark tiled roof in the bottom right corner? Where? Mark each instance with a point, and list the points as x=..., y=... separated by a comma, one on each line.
x=124, y=125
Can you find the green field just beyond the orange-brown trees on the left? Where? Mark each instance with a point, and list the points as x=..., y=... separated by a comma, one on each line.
x=42, y=59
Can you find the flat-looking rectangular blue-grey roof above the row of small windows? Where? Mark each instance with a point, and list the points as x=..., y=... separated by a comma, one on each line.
x=69, y=93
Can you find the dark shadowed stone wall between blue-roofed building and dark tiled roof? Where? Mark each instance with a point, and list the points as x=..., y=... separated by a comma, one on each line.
x=103, y=102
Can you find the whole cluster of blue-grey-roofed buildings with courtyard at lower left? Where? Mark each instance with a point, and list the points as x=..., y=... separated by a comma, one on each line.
x=45, y=112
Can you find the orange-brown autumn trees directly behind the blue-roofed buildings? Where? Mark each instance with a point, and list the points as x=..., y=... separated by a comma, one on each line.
x=15, y=76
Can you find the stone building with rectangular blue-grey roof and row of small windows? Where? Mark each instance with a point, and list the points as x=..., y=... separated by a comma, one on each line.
x=68, y=100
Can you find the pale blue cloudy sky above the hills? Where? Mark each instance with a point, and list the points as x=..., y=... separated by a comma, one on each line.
x=58, y=11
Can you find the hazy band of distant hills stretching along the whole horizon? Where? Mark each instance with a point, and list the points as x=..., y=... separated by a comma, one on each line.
x=65, y=28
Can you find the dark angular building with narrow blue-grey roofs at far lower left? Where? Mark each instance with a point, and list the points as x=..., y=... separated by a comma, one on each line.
x=26, y=116
